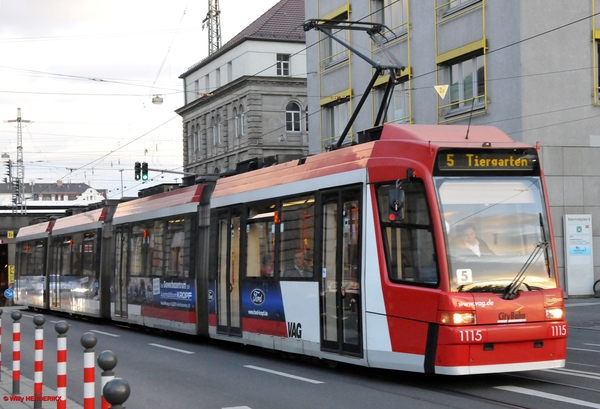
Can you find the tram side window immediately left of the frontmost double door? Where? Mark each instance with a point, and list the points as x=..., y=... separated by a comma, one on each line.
x=297, y=237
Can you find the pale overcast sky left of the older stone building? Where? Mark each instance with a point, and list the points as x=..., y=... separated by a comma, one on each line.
x=84, y=73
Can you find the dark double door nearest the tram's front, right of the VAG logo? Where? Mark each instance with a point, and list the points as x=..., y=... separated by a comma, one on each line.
x=341, y=298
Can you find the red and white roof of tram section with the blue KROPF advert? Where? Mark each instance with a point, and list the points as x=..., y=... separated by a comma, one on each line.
x=180, y=201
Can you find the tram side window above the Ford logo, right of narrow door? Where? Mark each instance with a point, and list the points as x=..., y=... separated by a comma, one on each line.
x=260, y=241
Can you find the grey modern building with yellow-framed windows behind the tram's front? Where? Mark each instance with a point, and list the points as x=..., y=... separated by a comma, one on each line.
x=529, y=68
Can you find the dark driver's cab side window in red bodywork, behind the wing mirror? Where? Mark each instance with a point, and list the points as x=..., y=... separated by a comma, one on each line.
x=409, y=243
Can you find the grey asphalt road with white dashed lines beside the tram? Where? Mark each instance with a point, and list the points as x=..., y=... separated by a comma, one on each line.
x=184, y=372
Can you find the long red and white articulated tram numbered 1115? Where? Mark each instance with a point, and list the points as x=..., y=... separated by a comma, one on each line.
x=422, y=250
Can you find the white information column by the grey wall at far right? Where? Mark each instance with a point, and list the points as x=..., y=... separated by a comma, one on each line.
x=579, y=257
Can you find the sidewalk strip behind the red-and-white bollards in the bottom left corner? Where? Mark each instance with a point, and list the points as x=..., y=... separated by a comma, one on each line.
x=8, y=401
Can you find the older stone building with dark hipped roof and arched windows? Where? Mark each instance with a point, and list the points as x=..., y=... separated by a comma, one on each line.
x=248, y=100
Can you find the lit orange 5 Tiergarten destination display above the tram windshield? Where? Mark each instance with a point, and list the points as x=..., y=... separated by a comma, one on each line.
x=487, y=160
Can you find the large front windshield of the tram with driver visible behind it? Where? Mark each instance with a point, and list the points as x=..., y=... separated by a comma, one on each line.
x=496, y=229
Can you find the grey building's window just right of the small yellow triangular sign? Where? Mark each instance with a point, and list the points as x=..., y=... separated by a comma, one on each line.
x=466, y=79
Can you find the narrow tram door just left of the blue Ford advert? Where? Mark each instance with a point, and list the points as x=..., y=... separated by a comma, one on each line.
x=228, y=279
